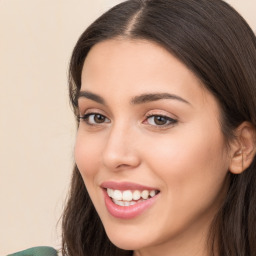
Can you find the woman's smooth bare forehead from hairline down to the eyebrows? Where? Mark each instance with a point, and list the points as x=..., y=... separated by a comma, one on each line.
x=131, y=67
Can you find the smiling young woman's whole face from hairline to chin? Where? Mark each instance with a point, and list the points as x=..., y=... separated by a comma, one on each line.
x=149, y=147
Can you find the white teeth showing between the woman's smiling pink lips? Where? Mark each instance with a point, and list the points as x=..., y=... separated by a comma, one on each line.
x=130, y=197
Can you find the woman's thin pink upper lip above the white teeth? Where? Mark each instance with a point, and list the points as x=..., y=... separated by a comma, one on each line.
x=125, y=186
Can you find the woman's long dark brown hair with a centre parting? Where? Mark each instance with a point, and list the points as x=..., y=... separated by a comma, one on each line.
x=215, y=43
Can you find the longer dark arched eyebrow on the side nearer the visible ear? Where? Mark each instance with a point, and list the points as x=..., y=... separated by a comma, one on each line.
x=144, y=98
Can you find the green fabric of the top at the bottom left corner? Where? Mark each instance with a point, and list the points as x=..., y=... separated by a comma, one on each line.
x=37, y=251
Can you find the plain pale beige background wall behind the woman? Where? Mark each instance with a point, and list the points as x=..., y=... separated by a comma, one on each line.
x=37, y=130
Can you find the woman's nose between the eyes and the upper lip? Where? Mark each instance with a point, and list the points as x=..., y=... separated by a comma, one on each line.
x=120, y=150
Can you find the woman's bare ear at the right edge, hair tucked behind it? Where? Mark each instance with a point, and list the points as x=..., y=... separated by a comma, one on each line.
x=242, y=149
